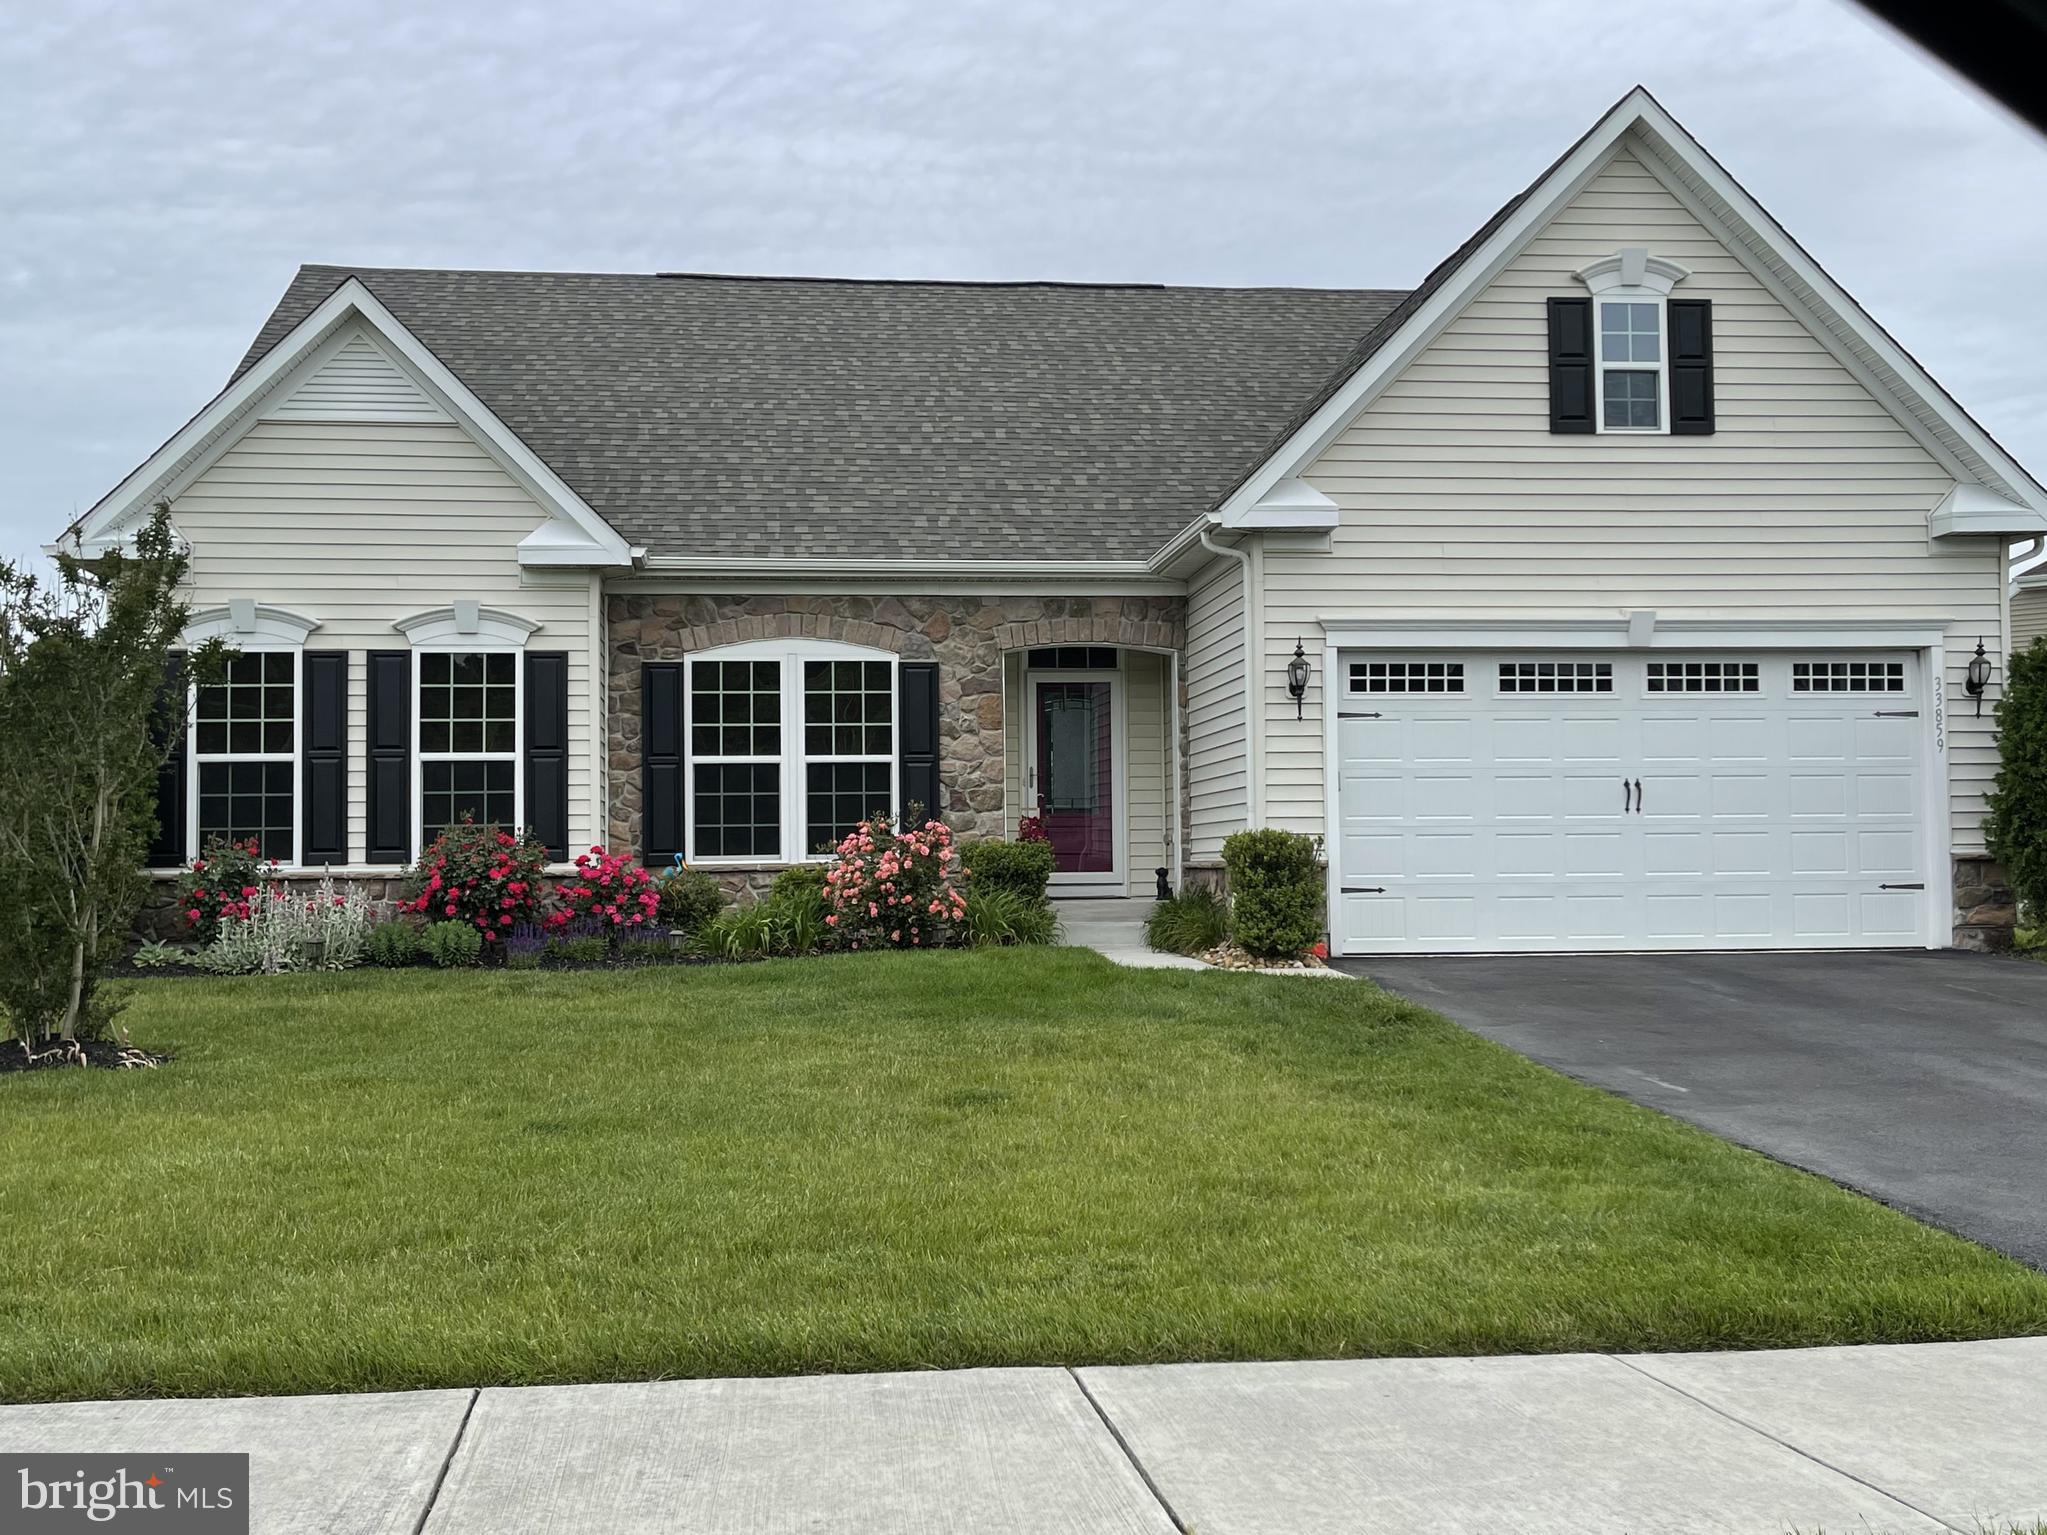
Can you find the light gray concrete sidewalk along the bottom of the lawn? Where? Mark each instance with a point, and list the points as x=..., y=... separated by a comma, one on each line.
x=1921, y=1438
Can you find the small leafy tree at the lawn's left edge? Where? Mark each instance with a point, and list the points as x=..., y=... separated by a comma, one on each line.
x=81, y=681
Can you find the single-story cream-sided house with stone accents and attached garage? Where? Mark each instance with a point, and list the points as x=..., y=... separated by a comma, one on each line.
x=1628, y=572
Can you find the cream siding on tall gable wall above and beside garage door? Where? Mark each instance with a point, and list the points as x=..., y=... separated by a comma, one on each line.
x=1456, y=500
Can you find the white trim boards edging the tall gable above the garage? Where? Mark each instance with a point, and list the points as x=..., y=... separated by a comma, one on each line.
x=1641, y=126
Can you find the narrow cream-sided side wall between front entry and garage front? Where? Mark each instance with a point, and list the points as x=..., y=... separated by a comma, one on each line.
x=1217, y=748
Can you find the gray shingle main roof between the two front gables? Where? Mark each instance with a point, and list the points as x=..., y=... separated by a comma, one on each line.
x=922, y=421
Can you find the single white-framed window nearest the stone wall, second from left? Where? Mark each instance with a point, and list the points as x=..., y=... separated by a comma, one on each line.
x=468, y=740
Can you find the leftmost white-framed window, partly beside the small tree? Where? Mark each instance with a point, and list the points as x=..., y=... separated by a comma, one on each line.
x=247, y=754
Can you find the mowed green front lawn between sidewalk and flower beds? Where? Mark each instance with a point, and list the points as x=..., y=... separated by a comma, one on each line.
x=885, y=1161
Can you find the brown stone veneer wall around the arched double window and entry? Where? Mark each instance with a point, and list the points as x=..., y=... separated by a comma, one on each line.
x=969, y=640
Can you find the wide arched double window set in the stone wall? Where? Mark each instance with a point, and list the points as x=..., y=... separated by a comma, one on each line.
x=793, y=744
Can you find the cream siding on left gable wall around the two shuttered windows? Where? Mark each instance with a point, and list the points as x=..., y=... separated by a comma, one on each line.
x=363, y=523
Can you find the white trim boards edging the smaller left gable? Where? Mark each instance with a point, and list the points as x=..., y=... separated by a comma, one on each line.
x=218, y=425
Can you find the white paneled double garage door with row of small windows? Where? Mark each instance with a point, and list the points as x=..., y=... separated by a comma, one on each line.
x=1495, y=803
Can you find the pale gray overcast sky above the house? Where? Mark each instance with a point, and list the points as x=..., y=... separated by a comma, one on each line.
x=167, y=167
